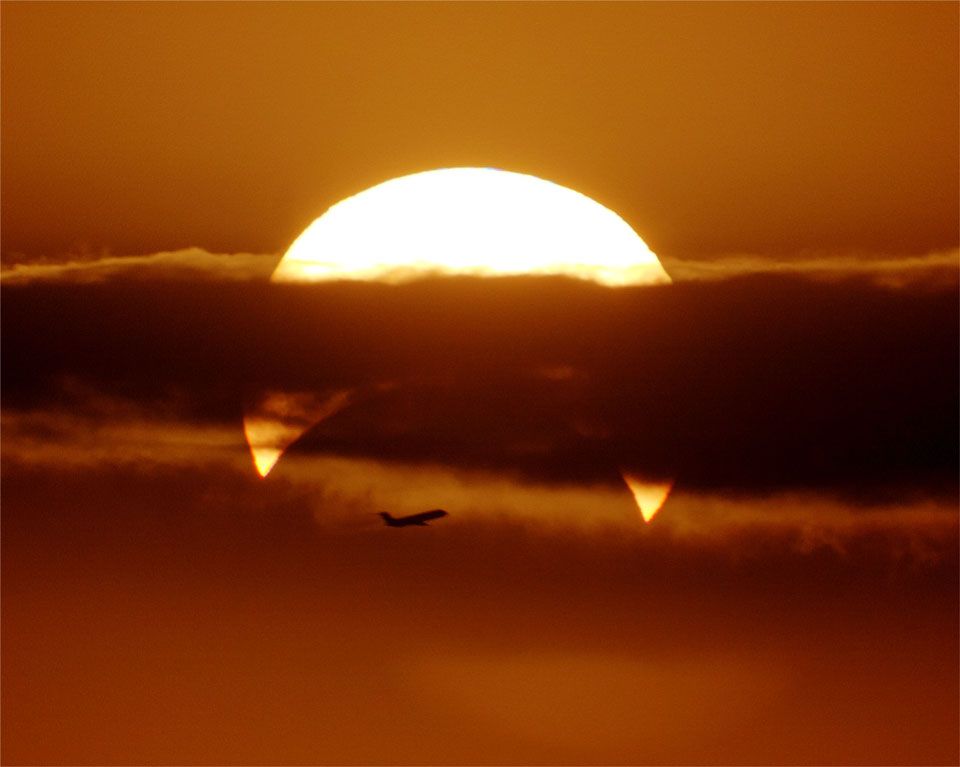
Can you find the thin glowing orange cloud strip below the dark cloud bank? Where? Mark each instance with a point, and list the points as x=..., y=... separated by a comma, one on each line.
x=109, y=441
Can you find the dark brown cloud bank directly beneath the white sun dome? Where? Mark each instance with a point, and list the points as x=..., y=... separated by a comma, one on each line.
x=751, y=385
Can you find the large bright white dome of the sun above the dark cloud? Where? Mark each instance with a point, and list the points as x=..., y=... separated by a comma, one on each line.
x=469, y=221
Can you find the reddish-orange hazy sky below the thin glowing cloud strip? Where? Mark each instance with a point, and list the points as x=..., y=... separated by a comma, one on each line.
x=183, y=613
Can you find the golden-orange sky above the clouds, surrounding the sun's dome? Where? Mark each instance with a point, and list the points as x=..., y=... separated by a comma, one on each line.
x=759, y=128
